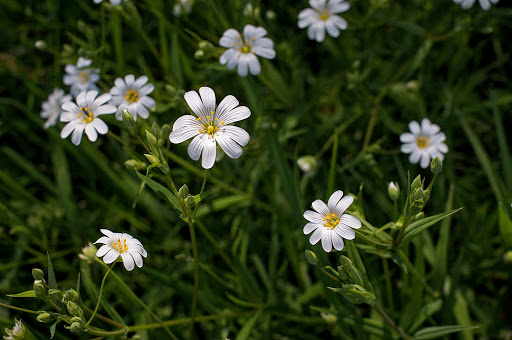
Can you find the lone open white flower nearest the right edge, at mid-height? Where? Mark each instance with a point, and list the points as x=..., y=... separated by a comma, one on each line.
x=424, y=143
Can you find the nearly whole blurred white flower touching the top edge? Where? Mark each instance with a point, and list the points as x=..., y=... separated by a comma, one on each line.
x=322, y=17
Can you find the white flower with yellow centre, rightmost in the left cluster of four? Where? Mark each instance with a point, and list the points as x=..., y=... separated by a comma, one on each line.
x=131, y=94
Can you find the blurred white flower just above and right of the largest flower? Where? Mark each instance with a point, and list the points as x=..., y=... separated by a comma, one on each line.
x=243, y=52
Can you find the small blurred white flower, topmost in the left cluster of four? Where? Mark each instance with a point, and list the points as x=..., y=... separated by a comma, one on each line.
x=81, y=77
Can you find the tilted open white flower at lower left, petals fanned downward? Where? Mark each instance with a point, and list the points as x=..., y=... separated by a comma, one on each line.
x=121, y=244
